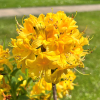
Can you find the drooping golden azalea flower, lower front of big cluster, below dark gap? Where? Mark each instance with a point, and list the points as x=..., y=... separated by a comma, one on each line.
x=41, y=64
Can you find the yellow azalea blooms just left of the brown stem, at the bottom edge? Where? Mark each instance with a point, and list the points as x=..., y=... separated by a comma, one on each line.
x=40, y=88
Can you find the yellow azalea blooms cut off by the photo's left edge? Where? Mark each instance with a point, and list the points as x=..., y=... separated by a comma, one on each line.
x=4, y=59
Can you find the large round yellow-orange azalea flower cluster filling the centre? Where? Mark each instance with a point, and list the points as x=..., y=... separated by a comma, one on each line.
x=49, y=45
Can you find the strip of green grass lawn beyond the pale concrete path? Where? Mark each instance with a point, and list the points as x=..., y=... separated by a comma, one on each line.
x=31, y=3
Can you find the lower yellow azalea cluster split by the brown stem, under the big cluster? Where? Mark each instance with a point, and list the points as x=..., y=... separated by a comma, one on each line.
x=63, y=87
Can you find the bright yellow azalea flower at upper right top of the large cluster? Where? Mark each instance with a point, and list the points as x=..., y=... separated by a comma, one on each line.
x=65, y=24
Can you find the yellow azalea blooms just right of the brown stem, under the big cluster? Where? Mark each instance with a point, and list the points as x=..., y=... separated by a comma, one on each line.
x=67, y=84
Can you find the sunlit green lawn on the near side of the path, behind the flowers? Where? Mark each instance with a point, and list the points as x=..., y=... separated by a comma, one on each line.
x=88, y=86
